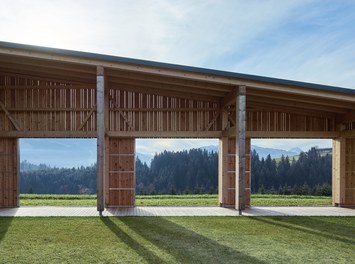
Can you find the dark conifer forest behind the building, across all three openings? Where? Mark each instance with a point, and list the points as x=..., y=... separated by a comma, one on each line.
x=193, y=171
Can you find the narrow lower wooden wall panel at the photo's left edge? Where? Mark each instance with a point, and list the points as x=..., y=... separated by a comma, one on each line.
x=9, y=172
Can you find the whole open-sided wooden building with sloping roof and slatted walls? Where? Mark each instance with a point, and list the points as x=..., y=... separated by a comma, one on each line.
x=53, y=93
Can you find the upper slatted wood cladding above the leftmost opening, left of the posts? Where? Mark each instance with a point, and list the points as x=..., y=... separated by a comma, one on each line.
x=38, y=108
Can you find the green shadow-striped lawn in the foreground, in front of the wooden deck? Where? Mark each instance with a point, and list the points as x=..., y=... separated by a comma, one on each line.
x=178, y=240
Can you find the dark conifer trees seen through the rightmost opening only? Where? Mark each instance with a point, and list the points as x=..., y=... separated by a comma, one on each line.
x=309, y=174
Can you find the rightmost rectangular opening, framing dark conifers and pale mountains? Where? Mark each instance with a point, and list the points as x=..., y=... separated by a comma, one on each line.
x=287, y=172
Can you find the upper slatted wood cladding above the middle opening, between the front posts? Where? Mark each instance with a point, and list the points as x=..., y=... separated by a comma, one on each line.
x=132, y=111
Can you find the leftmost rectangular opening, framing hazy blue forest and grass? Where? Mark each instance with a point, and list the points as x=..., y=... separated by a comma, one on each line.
x=51, y=168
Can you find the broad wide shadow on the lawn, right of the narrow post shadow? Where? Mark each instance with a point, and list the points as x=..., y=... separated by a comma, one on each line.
x=184, y=244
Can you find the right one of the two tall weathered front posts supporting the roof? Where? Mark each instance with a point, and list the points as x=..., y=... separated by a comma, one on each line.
x=240, y=149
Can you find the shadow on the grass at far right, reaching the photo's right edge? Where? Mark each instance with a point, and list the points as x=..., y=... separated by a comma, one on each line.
x=314, y=226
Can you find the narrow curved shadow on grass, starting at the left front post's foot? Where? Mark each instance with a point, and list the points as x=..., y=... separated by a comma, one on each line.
x=134, y=245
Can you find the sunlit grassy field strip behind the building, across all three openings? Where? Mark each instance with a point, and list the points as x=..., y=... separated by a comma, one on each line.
x=174, y=200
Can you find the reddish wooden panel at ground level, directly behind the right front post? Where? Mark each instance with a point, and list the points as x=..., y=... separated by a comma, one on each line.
x=227, y=159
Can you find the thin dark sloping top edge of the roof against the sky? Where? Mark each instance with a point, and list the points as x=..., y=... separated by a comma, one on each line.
x=242, y=76
